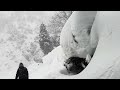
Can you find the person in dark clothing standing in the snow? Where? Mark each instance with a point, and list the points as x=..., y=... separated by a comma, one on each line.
x=22, y=72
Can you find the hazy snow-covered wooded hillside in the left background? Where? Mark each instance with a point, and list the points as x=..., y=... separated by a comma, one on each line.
x=18, y=30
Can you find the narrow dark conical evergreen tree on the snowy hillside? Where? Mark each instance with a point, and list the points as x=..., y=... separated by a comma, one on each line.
x=45, y=43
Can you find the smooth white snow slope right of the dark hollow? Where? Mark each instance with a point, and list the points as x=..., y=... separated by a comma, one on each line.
x=105, y=63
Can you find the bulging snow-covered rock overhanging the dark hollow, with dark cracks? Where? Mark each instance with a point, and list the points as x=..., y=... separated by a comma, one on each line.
x=75, y=35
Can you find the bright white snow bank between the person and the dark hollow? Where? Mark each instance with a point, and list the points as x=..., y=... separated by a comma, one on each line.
x=52, y=64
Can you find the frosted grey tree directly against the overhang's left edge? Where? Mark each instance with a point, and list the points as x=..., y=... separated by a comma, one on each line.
x=56, y=24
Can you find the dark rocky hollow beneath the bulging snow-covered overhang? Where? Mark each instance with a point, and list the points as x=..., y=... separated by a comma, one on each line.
x=75, y=65
